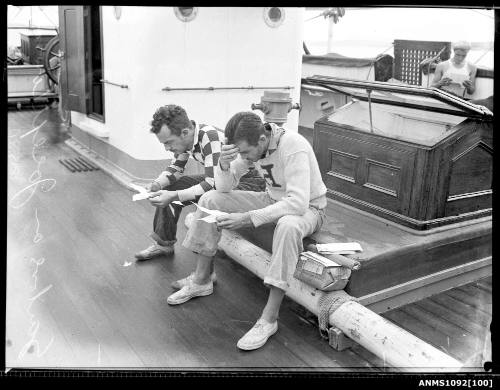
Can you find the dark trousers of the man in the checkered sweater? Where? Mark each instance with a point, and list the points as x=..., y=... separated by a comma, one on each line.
x=166, y=218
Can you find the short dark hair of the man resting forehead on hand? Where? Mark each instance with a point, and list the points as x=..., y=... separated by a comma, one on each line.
x=244, y=126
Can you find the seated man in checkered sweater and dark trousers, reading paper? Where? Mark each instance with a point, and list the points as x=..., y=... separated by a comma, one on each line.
x=185, y=138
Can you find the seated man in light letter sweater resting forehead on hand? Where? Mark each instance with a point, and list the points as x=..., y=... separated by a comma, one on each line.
x=294, y=201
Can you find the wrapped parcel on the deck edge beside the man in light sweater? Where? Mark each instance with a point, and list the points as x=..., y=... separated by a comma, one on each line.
x=320, y=272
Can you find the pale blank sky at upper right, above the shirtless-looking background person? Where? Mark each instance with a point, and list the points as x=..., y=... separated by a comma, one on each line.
x=367, y=32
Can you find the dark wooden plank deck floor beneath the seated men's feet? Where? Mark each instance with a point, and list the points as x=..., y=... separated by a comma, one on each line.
x=77, y=299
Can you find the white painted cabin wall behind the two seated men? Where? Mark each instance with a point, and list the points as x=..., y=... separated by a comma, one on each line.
x=149, y=48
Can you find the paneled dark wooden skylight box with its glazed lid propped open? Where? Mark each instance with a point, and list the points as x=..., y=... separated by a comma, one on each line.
x=417, y=156
